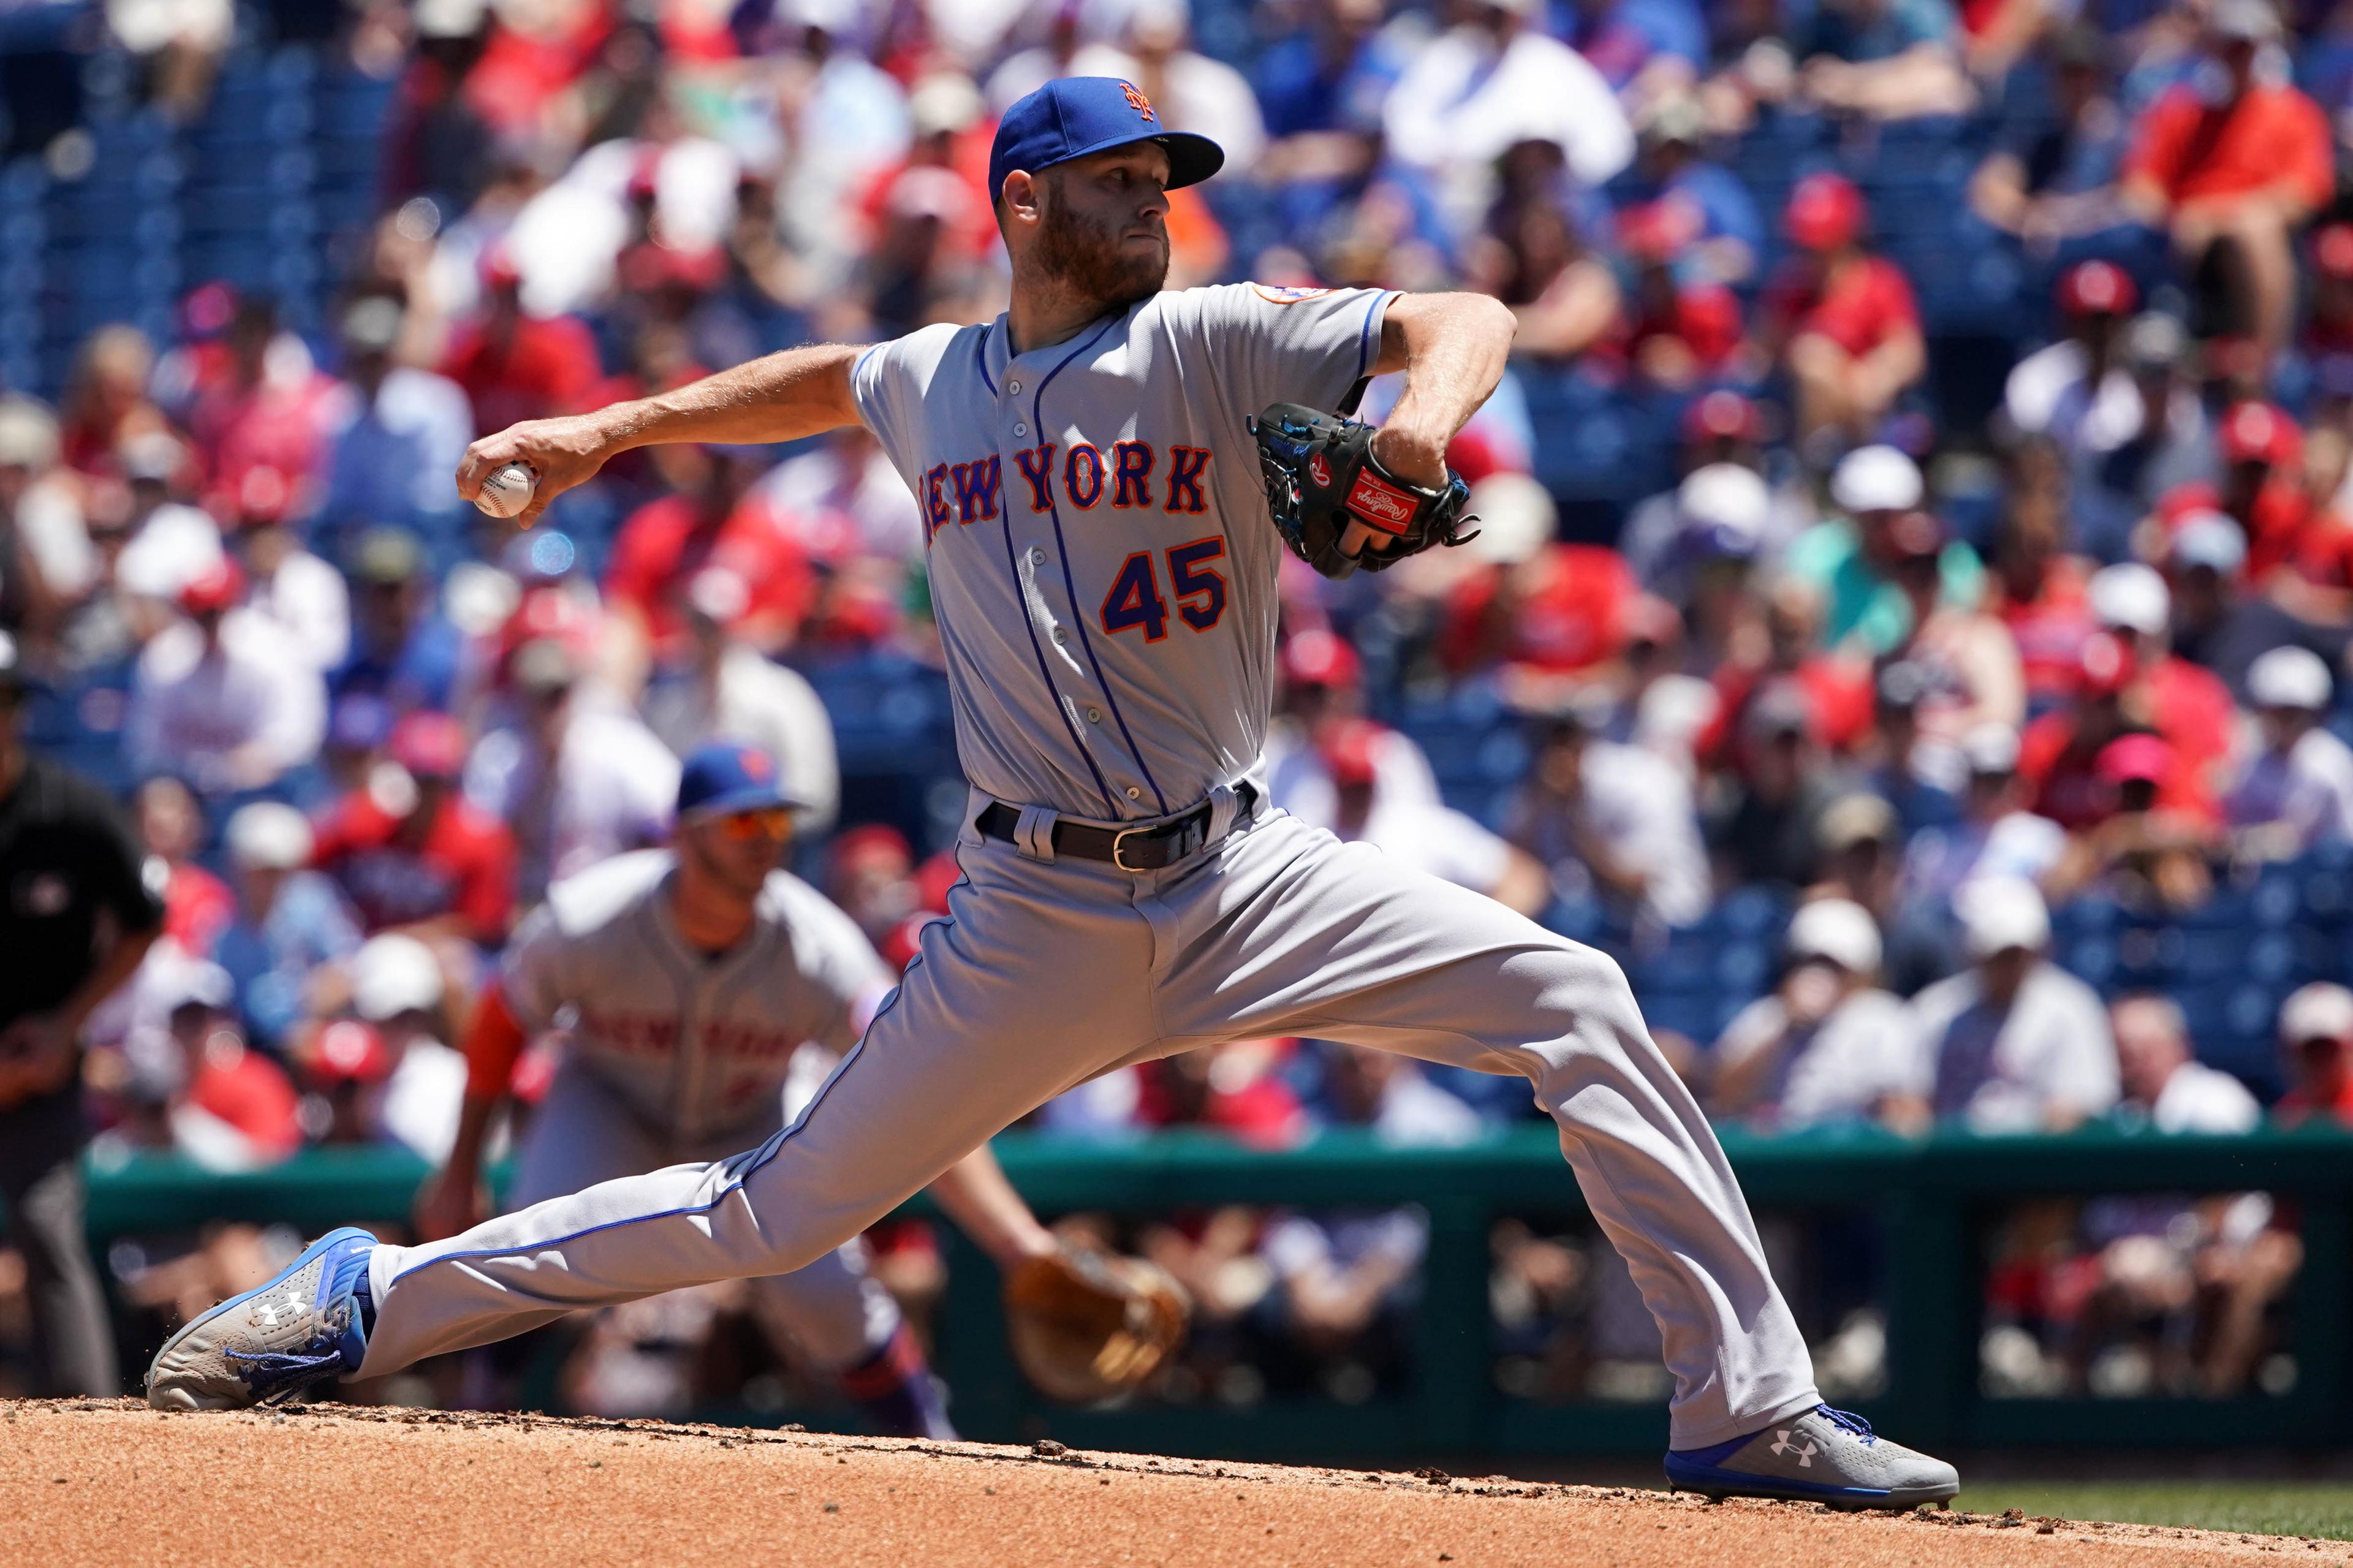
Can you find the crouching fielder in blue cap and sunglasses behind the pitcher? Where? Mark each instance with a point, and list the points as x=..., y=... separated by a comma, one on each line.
x=688, y=981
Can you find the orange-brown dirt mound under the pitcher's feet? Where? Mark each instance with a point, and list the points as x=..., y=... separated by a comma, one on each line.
x=112, y=1482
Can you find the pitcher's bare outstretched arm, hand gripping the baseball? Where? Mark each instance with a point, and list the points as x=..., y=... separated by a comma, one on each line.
x=785, y=397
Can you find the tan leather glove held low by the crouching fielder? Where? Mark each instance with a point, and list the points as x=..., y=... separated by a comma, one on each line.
x=1088, y=1329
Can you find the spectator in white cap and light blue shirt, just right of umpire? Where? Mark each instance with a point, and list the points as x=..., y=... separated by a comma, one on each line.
x=288, y=924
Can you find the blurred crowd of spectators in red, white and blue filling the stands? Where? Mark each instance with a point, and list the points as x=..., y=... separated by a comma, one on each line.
x=1926, y=672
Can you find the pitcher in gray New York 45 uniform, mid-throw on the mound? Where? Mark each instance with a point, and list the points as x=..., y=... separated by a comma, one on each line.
x=1105, y=585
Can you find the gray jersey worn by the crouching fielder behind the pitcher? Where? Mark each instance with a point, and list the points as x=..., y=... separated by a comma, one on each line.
x=695, y=1047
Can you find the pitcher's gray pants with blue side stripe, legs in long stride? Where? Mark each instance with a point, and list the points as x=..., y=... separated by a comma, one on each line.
x=1053, y=971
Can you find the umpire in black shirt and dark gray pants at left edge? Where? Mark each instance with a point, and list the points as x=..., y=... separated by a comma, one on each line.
x=76, y=917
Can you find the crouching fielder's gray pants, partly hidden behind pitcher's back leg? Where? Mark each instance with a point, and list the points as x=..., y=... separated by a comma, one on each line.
x=585, y=1134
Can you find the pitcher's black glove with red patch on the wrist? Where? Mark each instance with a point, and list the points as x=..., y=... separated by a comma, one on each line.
x=1321, y=477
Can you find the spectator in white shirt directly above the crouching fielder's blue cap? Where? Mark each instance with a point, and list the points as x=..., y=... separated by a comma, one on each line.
x=724, y=689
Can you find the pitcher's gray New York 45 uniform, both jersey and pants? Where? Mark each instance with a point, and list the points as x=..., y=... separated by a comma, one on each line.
x=1105, y=578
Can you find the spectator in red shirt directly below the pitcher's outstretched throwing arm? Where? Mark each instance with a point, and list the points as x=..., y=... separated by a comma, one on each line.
x=714, y=519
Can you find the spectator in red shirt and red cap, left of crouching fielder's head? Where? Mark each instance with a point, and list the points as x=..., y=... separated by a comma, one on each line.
x=413, y=853
